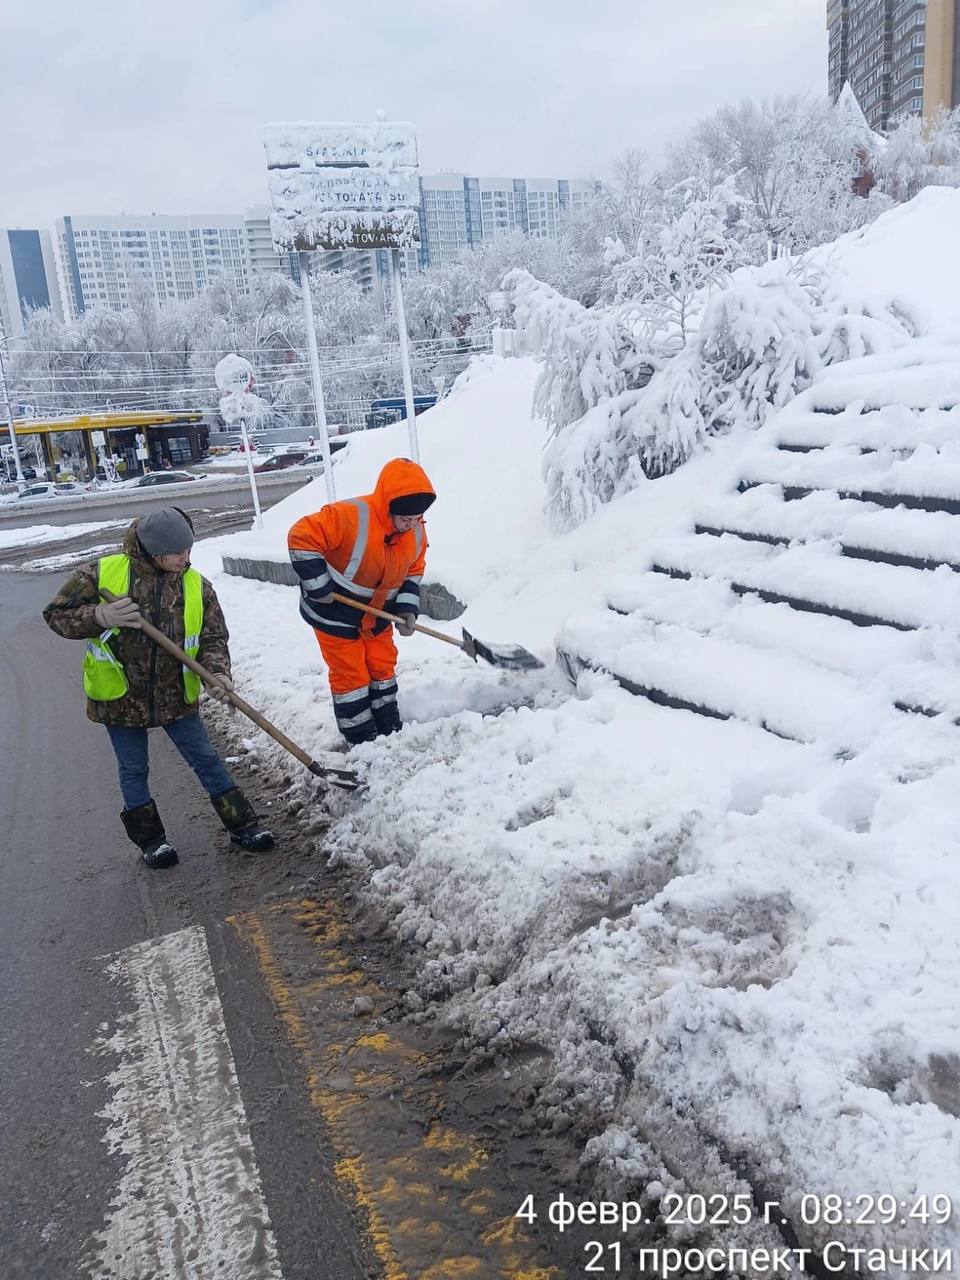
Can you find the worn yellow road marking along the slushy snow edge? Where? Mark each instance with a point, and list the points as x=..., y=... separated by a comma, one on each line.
x=422, y=1190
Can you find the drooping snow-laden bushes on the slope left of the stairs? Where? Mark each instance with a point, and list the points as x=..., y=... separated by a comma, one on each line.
x=618, y=413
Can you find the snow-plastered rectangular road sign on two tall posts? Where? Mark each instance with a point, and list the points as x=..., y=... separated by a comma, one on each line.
x=346, y=188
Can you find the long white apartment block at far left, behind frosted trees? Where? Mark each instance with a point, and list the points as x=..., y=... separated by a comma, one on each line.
x=100, y=257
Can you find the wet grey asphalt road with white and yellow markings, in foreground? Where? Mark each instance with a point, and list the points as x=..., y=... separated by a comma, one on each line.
x=138, y=1005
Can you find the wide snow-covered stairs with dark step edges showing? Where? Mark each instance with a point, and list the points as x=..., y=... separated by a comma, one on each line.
x=816, y=597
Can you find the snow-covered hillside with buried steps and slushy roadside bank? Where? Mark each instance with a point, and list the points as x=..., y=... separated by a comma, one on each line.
x=708, y=885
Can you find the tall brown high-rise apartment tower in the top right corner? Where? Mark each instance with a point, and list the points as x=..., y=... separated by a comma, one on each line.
x=900, y=57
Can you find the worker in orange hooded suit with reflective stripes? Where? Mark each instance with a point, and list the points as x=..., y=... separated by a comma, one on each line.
x=372, y=550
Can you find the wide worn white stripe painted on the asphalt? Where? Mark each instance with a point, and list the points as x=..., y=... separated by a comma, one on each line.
x=189, y=1205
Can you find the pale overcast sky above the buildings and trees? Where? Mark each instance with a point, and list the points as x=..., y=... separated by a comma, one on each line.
x=158, y=107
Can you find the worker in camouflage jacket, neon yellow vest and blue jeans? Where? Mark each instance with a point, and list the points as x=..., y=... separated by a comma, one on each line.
x=134, y=685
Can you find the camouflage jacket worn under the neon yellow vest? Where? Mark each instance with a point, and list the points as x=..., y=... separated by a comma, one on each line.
x=156, y=694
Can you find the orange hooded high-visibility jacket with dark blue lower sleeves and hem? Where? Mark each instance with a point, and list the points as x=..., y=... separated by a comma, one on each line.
x=353, y=548
